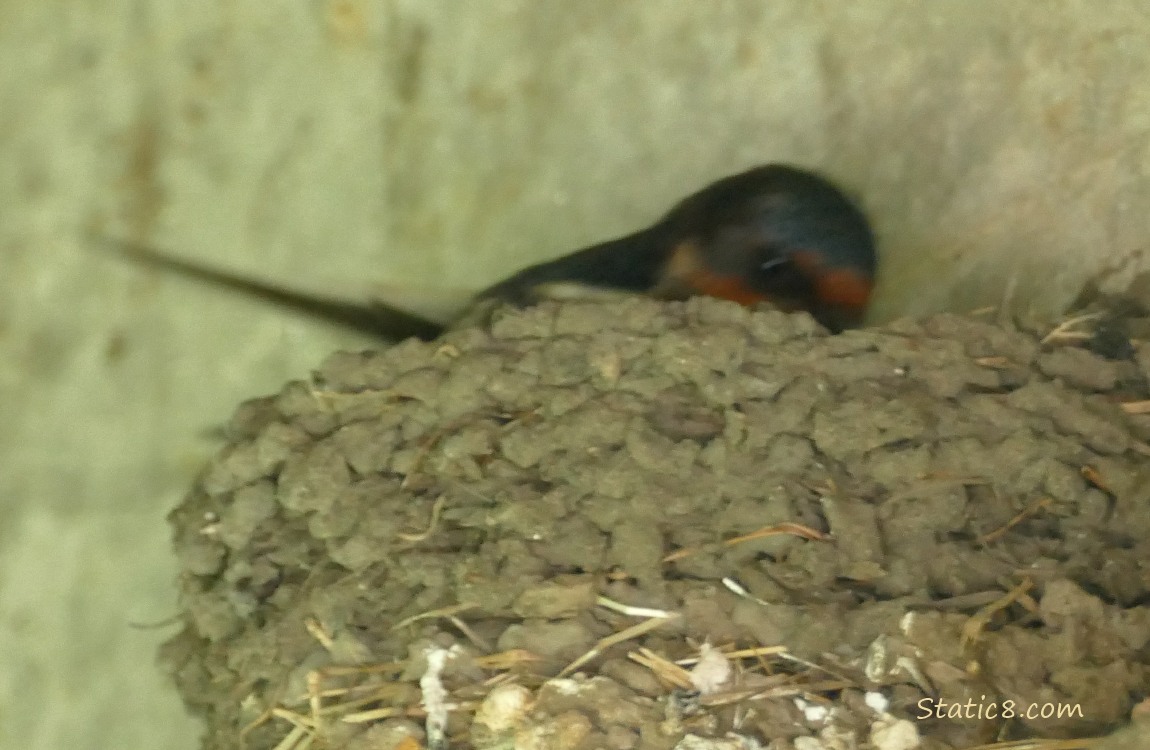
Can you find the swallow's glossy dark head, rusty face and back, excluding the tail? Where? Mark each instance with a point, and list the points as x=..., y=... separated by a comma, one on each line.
x=775, y=234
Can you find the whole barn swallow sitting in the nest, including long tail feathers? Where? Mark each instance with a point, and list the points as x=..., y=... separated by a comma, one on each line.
x=773, y=234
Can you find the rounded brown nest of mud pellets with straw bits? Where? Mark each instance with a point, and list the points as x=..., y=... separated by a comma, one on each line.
x=618, y=525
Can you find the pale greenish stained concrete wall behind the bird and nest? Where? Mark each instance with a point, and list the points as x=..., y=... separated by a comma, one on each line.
x=1001, y=149
